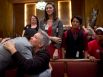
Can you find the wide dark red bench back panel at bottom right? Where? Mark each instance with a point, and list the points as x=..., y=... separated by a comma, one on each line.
x=81, y=69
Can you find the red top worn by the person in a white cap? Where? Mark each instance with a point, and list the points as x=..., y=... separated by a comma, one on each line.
x=94, y=49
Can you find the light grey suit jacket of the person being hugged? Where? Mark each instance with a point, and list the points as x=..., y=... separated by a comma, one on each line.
x=22, y=45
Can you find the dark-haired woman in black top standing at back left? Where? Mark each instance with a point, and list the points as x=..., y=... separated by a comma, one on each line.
x=32, y=28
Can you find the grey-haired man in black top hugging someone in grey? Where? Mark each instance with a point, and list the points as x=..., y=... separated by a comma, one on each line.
x=40, y=61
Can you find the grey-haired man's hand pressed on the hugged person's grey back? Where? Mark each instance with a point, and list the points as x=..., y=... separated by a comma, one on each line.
x=10, y=46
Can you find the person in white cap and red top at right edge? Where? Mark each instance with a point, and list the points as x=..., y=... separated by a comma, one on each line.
x=95, y=47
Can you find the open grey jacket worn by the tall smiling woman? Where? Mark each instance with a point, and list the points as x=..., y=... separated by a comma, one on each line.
x=57, y=29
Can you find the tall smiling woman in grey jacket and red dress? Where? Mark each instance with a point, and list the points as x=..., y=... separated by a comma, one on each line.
x=54, y=27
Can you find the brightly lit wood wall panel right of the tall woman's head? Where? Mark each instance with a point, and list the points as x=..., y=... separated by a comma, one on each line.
x=64, y=12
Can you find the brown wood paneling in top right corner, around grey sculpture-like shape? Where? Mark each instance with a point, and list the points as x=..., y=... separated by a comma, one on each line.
x=97, y=4
